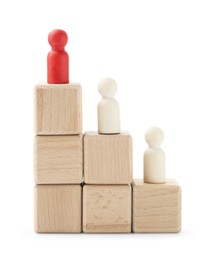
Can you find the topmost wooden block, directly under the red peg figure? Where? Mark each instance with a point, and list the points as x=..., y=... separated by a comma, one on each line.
x=58, y=109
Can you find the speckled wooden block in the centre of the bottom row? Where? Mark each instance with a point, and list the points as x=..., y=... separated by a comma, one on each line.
x=107, y=208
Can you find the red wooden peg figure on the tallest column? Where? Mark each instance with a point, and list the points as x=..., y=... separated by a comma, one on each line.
x=58, y=60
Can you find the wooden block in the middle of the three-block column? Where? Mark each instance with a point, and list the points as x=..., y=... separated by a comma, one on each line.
x=58, y=159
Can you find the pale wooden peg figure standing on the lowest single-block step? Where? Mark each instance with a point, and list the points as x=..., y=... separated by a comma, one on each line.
x=154, y=157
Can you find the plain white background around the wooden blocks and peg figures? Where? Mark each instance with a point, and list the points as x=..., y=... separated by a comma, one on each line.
x=161, y=53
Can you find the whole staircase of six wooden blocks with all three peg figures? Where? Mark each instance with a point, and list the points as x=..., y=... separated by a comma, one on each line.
x=105, y=199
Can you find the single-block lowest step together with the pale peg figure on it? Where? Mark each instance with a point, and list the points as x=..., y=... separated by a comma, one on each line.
x=156, y=200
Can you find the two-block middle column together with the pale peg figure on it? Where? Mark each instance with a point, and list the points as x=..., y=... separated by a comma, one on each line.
x=107, y=193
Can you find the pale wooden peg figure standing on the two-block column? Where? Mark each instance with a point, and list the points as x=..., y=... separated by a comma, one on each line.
x=108, y=108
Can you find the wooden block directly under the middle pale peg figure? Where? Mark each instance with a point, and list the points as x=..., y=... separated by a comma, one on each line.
x=107, y=158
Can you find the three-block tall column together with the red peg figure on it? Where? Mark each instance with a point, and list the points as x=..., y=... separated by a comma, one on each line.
x=58, y=145
